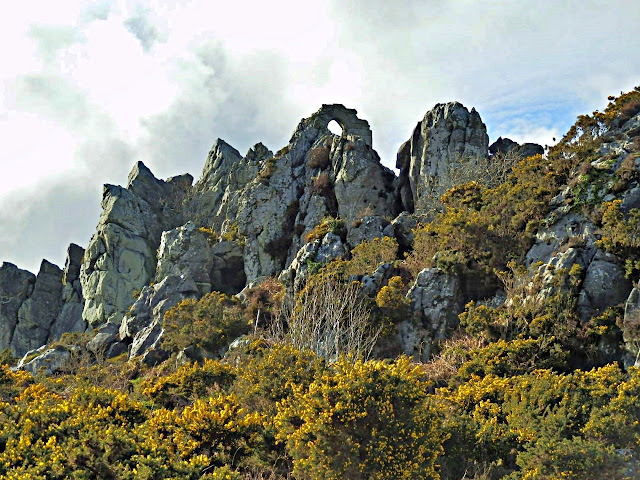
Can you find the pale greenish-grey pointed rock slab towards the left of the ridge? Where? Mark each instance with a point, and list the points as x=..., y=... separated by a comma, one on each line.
x=120, y=258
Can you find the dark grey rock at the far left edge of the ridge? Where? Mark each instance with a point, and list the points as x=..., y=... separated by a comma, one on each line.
x=15, y=286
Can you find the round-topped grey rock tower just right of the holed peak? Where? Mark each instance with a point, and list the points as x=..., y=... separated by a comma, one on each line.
x=446, y=133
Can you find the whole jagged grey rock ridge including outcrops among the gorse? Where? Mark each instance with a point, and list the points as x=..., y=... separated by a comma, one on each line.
x=249, y=217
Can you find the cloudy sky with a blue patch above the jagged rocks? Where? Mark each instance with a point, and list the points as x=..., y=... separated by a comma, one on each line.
x=87, y=88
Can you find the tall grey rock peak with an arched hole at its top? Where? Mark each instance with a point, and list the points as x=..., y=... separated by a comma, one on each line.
x=316, y=175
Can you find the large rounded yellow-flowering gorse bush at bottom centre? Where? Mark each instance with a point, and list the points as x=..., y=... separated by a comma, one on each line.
x=361, y=420
